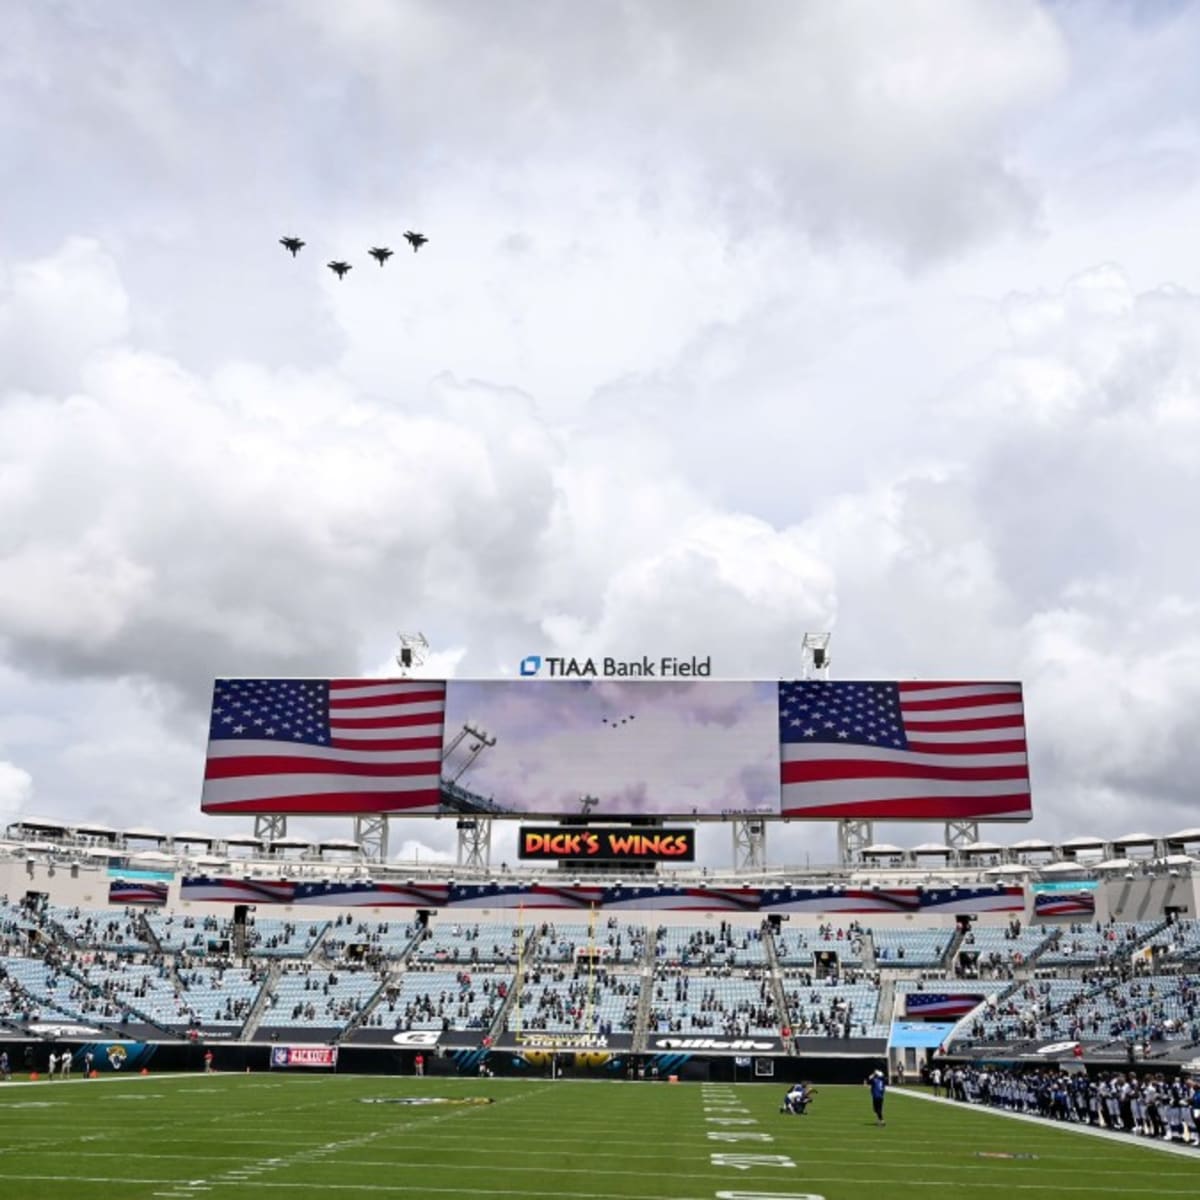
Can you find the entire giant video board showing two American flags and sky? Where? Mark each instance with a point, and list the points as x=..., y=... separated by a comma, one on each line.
x=682, y=748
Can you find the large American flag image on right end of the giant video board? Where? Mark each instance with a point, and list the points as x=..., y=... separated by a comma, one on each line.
x=916, y=752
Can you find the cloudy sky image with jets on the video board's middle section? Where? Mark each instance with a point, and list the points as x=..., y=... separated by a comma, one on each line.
x=619, y=749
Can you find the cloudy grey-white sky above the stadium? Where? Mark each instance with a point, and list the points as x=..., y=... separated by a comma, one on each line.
x=736, y=322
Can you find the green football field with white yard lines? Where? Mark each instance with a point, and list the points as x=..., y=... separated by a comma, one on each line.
x=269, y=1136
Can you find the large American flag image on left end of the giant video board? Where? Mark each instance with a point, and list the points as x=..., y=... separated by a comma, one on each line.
x=325, y=747
